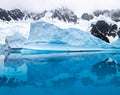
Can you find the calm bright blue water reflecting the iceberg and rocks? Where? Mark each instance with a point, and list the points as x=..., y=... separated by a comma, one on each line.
x=91, y=73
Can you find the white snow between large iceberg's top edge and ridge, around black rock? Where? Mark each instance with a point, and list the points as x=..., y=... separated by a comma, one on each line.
x=81, y=24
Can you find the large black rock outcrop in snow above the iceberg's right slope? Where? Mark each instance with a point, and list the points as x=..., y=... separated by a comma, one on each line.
x=102, y=30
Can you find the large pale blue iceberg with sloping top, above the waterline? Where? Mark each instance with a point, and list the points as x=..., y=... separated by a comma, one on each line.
x=46, y=36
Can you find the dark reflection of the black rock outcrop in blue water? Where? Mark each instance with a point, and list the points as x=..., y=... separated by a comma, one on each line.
x=106, y=67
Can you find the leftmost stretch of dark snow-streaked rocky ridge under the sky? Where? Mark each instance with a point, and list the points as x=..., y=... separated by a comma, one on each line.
x=17, y=14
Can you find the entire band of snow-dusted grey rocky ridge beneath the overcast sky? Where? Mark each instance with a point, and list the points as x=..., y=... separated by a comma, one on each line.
x=62, y=13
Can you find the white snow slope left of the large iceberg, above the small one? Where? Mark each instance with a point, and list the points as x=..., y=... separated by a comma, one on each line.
x=10, y=28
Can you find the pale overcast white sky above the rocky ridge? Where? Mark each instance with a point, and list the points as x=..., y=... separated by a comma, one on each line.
x=77, y=5
